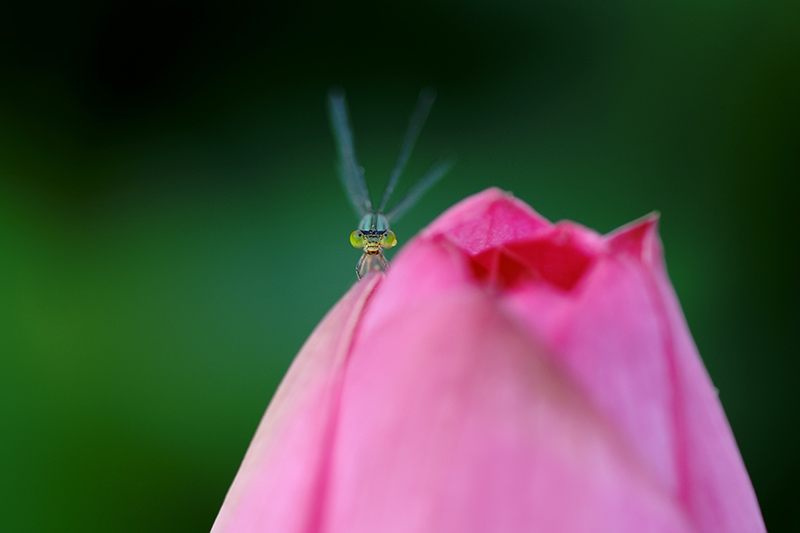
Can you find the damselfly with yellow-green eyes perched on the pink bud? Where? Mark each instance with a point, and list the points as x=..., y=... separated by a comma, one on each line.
x=373, y=234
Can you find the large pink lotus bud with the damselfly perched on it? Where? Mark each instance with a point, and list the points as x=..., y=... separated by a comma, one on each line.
x=508, y=374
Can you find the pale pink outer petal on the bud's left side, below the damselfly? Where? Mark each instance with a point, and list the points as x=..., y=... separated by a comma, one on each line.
x=274, y=489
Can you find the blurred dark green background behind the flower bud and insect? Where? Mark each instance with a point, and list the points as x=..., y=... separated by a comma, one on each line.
x=172, y=228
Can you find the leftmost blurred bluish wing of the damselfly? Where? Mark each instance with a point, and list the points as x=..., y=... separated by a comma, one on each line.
x=350, y=172
